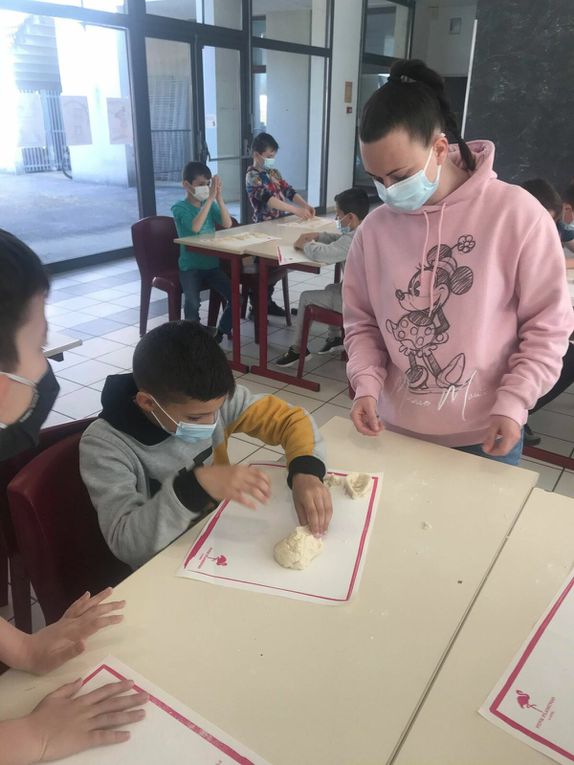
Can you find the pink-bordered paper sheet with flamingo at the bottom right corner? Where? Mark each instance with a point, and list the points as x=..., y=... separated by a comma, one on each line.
x=534, y=700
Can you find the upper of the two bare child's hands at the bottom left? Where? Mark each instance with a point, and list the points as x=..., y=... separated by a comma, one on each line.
x=52, y=646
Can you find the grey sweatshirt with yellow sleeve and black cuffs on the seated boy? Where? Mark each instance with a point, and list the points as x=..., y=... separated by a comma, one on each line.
x=141, y=479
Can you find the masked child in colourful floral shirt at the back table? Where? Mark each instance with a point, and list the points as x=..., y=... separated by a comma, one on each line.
x=270, y=195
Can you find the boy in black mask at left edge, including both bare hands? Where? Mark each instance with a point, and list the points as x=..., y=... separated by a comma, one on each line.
x=62, y=723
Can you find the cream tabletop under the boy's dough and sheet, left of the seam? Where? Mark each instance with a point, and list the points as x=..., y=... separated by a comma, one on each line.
x=301, y=683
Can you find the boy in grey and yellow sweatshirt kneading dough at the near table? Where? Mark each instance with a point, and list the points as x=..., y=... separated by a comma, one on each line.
x=155, y=461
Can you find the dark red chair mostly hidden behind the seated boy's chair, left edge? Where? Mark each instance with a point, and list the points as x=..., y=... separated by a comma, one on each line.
x=12, y=565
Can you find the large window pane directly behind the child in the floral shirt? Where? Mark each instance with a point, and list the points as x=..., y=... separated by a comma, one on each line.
x=288, y=97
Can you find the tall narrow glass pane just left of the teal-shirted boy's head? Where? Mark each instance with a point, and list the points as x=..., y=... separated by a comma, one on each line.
x=171, y=113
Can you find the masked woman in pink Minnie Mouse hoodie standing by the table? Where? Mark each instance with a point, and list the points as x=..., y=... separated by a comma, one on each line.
x=455, y=301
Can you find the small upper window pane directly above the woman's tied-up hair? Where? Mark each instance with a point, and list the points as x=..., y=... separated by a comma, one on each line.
x=387, y=28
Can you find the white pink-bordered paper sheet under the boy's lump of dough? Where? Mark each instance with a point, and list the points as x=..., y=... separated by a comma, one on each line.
x=236, y=547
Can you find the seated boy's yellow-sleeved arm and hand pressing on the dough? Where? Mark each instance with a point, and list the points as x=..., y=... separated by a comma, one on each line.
x=275, y=422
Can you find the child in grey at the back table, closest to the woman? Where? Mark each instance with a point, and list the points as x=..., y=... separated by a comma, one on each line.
x=351, y=207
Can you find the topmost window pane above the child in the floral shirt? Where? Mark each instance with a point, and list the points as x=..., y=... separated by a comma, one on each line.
x=298, y=21
